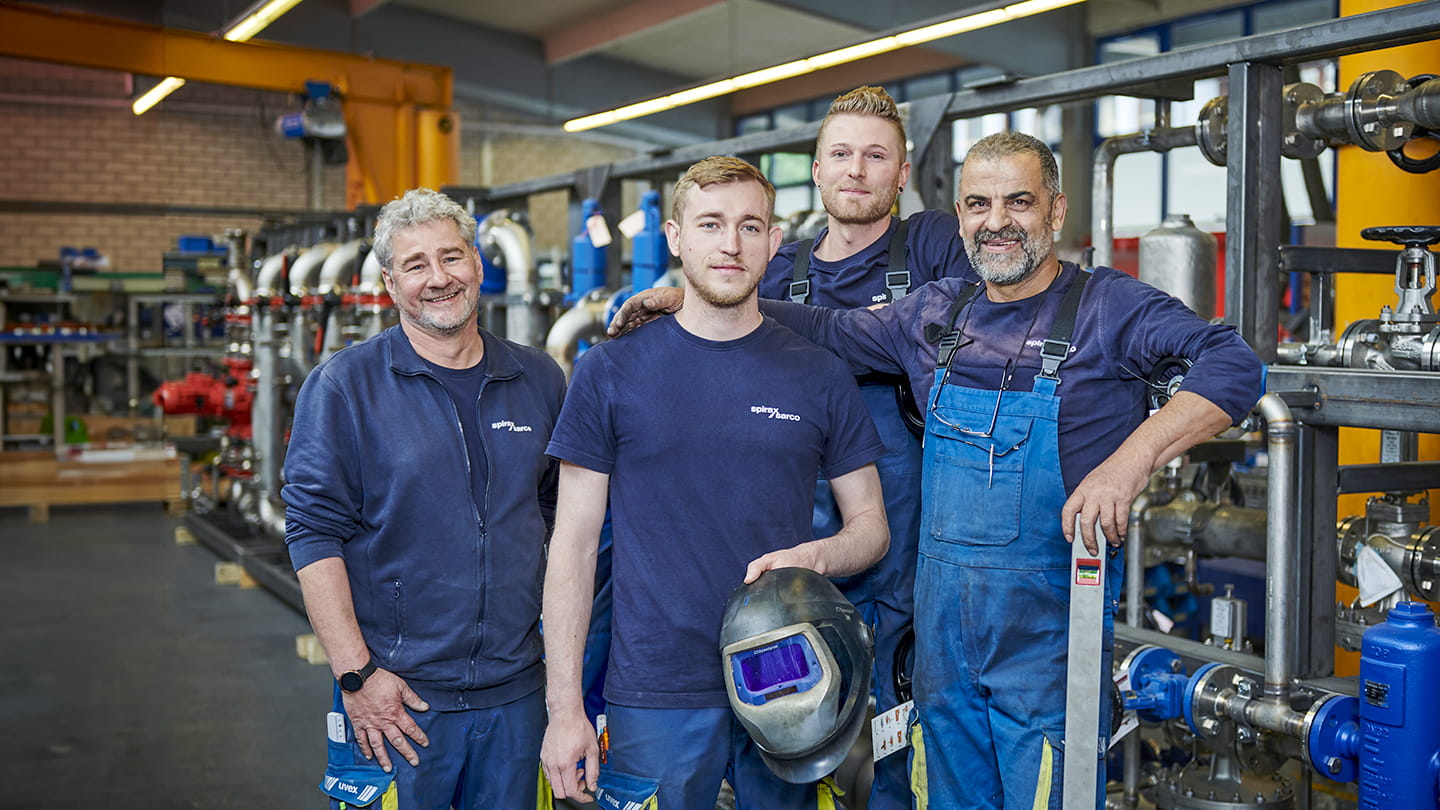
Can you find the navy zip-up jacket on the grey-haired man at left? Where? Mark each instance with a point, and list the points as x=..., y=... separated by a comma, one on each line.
x=377, y=473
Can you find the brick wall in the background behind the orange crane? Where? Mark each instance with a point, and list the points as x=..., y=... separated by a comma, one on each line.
x=70, y=139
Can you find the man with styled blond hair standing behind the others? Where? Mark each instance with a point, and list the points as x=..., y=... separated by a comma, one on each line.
x=869, y=257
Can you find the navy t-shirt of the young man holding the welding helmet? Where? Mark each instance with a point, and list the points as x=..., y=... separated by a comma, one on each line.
x=712, y=450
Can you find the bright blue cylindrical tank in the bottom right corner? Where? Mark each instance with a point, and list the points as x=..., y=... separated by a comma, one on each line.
x=1400, y=711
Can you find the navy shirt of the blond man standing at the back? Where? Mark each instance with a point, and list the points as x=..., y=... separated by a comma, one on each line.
x=934, y=250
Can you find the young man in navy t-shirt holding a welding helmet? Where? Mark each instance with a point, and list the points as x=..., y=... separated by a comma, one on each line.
x=705, y=433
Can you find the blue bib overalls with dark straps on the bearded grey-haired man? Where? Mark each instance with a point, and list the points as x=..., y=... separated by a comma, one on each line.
x=993, y=590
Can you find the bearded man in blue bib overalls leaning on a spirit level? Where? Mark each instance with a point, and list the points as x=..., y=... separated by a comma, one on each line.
x=1035, y=384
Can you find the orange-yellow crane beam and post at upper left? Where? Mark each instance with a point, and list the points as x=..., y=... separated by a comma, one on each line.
x=391, y=107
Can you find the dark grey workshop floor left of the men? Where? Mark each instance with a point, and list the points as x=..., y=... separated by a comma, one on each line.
x=129, y=680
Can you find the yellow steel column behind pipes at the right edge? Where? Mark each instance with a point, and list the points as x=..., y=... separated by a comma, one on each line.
x=1370, y=192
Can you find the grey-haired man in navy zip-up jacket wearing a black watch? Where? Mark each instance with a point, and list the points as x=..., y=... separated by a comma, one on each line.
x=420, y=501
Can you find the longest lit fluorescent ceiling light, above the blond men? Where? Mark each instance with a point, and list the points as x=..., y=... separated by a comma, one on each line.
x=820, y=61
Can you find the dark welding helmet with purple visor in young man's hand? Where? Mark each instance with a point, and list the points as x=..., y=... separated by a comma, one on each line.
x=797, y=662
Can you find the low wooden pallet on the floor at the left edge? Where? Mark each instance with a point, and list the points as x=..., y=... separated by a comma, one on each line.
x=38, y=481
